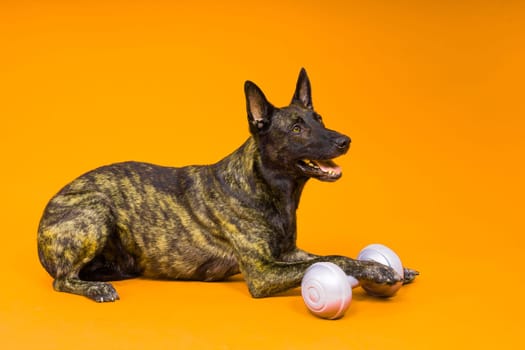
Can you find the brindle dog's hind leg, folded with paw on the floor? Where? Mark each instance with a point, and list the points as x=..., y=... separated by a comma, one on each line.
x=73, y=230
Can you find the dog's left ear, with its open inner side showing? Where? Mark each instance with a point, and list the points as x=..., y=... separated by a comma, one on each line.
x=258, y=108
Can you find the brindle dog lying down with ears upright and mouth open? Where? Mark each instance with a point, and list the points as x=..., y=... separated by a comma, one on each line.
x=207, y=222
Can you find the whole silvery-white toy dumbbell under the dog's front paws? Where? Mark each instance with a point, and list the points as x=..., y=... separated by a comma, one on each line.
x=327, y=290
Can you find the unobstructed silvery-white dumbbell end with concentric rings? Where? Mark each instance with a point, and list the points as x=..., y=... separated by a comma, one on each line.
x=326, y=290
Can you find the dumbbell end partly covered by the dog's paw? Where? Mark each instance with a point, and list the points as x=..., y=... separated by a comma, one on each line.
x=386, y=256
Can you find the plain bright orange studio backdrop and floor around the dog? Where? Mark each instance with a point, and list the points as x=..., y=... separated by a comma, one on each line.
x=431, y=94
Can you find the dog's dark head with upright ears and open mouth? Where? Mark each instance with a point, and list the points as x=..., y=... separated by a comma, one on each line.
x=294, y=139
